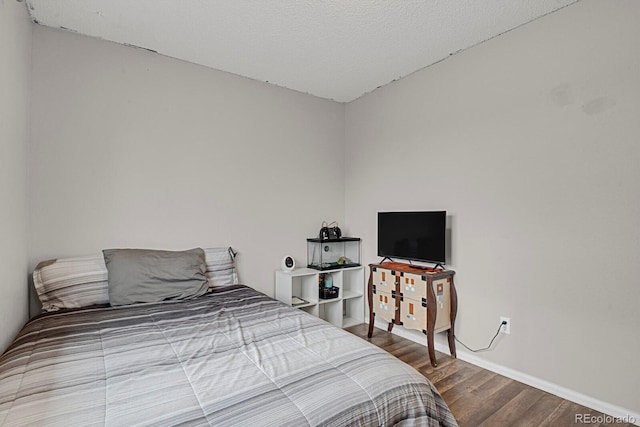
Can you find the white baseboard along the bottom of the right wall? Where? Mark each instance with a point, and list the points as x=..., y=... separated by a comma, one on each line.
x=549, y=387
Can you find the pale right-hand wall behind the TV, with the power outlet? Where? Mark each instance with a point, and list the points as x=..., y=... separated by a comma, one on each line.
x=530, y=141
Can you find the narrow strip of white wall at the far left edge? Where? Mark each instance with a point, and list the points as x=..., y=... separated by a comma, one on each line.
x=15, y=66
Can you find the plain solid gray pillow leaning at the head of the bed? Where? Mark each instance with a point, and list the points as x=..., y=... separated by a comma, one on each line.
x=142, y=275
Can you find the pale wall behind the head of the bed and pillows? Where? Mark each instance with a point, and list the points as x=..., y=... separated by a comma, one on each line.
x=134, y=149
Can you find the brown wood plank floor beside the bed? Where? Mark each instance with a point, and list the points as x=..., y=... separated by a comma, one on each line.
x=478, y=397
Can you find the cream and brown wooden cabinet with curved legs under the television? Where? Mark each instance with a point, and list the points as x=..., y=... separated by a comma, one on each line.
x=401, y=294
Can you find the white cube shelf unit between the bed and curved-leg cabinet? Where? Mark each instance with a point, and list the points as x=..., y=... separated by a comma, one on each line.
x=344, y=311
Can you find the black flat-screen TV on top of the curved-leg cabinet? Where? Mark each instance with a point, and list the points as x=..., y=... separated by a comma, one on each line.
x=418, y=236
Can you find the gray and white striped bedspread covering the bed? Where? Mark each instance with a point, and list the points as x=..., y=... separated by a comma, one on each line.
x=231, y=358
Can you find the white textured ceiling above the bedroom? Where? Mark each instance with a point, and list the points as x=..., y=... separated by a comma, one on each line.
x=335, y=49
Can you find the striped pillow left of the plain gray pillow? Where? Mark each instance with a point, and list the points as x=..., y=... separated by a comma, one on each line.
x=71, y=282
